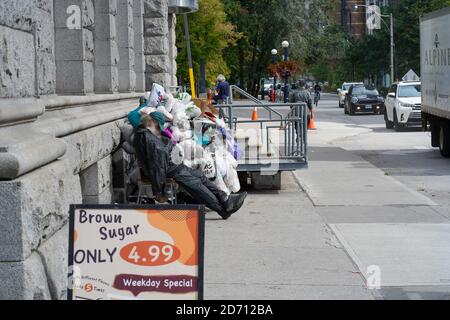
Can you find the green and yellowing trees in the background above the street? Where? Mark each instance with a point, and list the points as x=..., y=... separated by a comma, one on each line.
x=236, y=37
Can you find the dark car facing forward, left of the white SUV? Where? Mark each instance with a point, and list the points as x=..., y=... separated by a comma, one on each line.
x=363, y=99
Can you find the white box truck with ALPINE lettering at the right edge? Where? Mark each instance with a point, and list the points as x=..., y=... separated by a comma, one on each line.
x=435, y=70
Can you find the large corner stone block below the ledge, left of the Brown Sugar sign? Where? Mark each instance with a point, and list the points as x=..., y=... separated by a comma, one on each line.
x=38, y=202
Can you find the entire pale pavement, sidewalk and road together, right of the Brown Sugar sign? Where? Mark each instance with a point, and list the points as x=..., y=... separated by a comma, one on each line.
x=369, y=219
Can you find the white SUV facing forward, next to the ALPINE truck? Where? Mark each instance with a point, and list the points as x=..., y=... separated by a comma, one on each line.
x=403, y=105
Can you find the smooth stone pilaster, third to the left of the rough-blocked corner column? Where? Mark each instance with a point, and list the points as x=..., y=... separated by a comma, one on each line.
x=106, y=60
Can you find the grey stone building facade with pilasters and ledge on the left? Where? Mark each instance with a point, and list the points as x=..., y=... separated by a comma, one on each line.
x=70, y=71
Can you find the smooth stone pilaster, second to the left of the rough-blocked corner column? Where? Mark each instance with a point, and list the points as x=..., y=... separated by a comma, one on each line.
x=125, y=34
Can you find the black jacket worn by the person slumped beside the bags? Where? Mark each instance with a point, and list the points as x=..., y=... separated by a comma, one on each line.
x=154, y=156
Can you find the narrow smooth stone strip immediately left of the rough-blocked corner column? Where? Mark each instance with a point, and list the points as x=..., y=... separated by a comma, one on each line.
x=139, y=67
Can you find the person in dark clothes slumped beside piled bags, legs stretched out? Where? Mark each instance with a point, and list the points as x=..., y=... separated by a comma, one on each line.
x=155, y=152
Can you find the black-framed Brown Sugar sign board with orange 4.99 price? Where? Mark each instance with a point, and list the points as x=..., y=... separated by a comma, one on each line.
x=122, y=252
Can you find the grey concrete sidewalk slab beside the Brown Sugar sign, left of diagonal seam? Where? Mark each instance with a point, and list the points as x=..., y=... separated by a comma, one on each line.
x=278, y=247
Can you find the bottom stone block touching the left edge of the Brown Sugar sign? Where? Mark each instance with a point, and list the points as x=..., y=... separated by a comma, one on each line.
x=54, y=254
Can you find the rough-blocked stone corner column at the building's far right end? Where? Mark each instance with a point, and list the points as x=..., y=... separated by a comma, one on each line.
x=156, y=48
